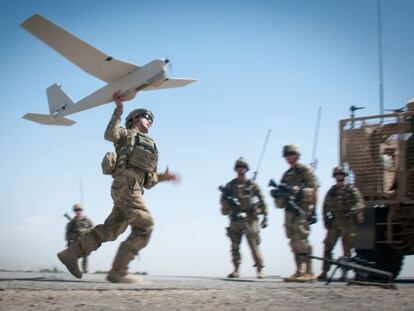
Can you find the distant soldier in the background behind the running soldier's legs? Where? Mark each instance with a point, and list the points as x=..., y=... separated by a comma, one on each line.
x=78, y=226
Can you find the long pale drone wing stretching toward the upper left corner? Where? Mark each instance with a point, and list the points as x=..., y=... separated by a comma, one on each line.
x=76, y=50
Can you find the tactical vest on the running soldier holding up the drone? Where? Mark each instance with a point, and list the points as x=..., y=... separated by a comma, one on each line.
x=137, y=151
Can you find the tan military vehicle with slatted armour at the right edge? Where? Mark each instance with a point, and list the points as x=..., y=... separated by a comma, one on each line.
x=379, y=153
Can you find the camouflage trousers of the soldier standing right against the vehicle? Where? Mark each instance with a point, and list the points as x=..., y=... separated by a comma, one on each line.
x=345, y=229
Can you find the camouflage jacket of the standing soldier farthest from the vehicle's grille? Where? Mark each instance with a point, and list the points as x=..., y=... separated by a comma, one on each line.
x=249, y=195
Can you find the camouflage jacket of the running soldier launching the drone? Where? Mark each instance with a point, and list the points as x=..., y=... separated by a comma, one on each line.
x=121, y=139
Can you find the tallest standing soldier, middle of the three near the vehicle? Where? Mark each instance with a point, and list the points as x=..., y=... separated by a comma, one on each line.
x=302, y=181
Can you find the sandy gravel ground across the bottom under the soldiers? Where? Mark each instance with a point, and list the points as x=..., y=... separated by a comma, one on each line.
x=34, y=291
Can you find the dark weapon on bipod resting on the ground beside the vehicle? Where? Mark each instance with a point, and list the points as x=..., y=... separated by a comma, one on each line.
x=360, y=267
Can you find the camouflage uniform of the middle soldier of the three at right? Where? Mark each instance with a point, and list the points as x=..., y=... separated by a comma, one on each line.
x=297, y=226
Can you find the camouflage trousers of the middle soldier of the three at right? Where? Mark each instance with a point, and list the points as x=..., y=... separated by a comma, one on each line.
x=297, y=231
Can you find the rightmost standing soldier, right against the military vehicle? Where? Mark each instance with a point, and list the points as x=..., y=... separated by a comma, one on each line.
x=342, y=210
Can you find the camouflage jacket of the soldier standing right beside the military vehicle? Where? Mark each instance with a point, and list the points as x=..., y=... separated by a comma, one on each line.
x=343, y=202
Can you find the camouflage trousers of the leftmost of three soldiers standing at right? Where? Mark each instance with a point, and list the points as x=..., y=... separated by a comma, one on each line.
x=235, y=232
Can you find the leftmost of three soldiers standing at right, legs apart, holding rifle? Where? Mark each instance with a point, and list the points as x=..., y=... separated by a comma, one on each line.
x=243, y=216
